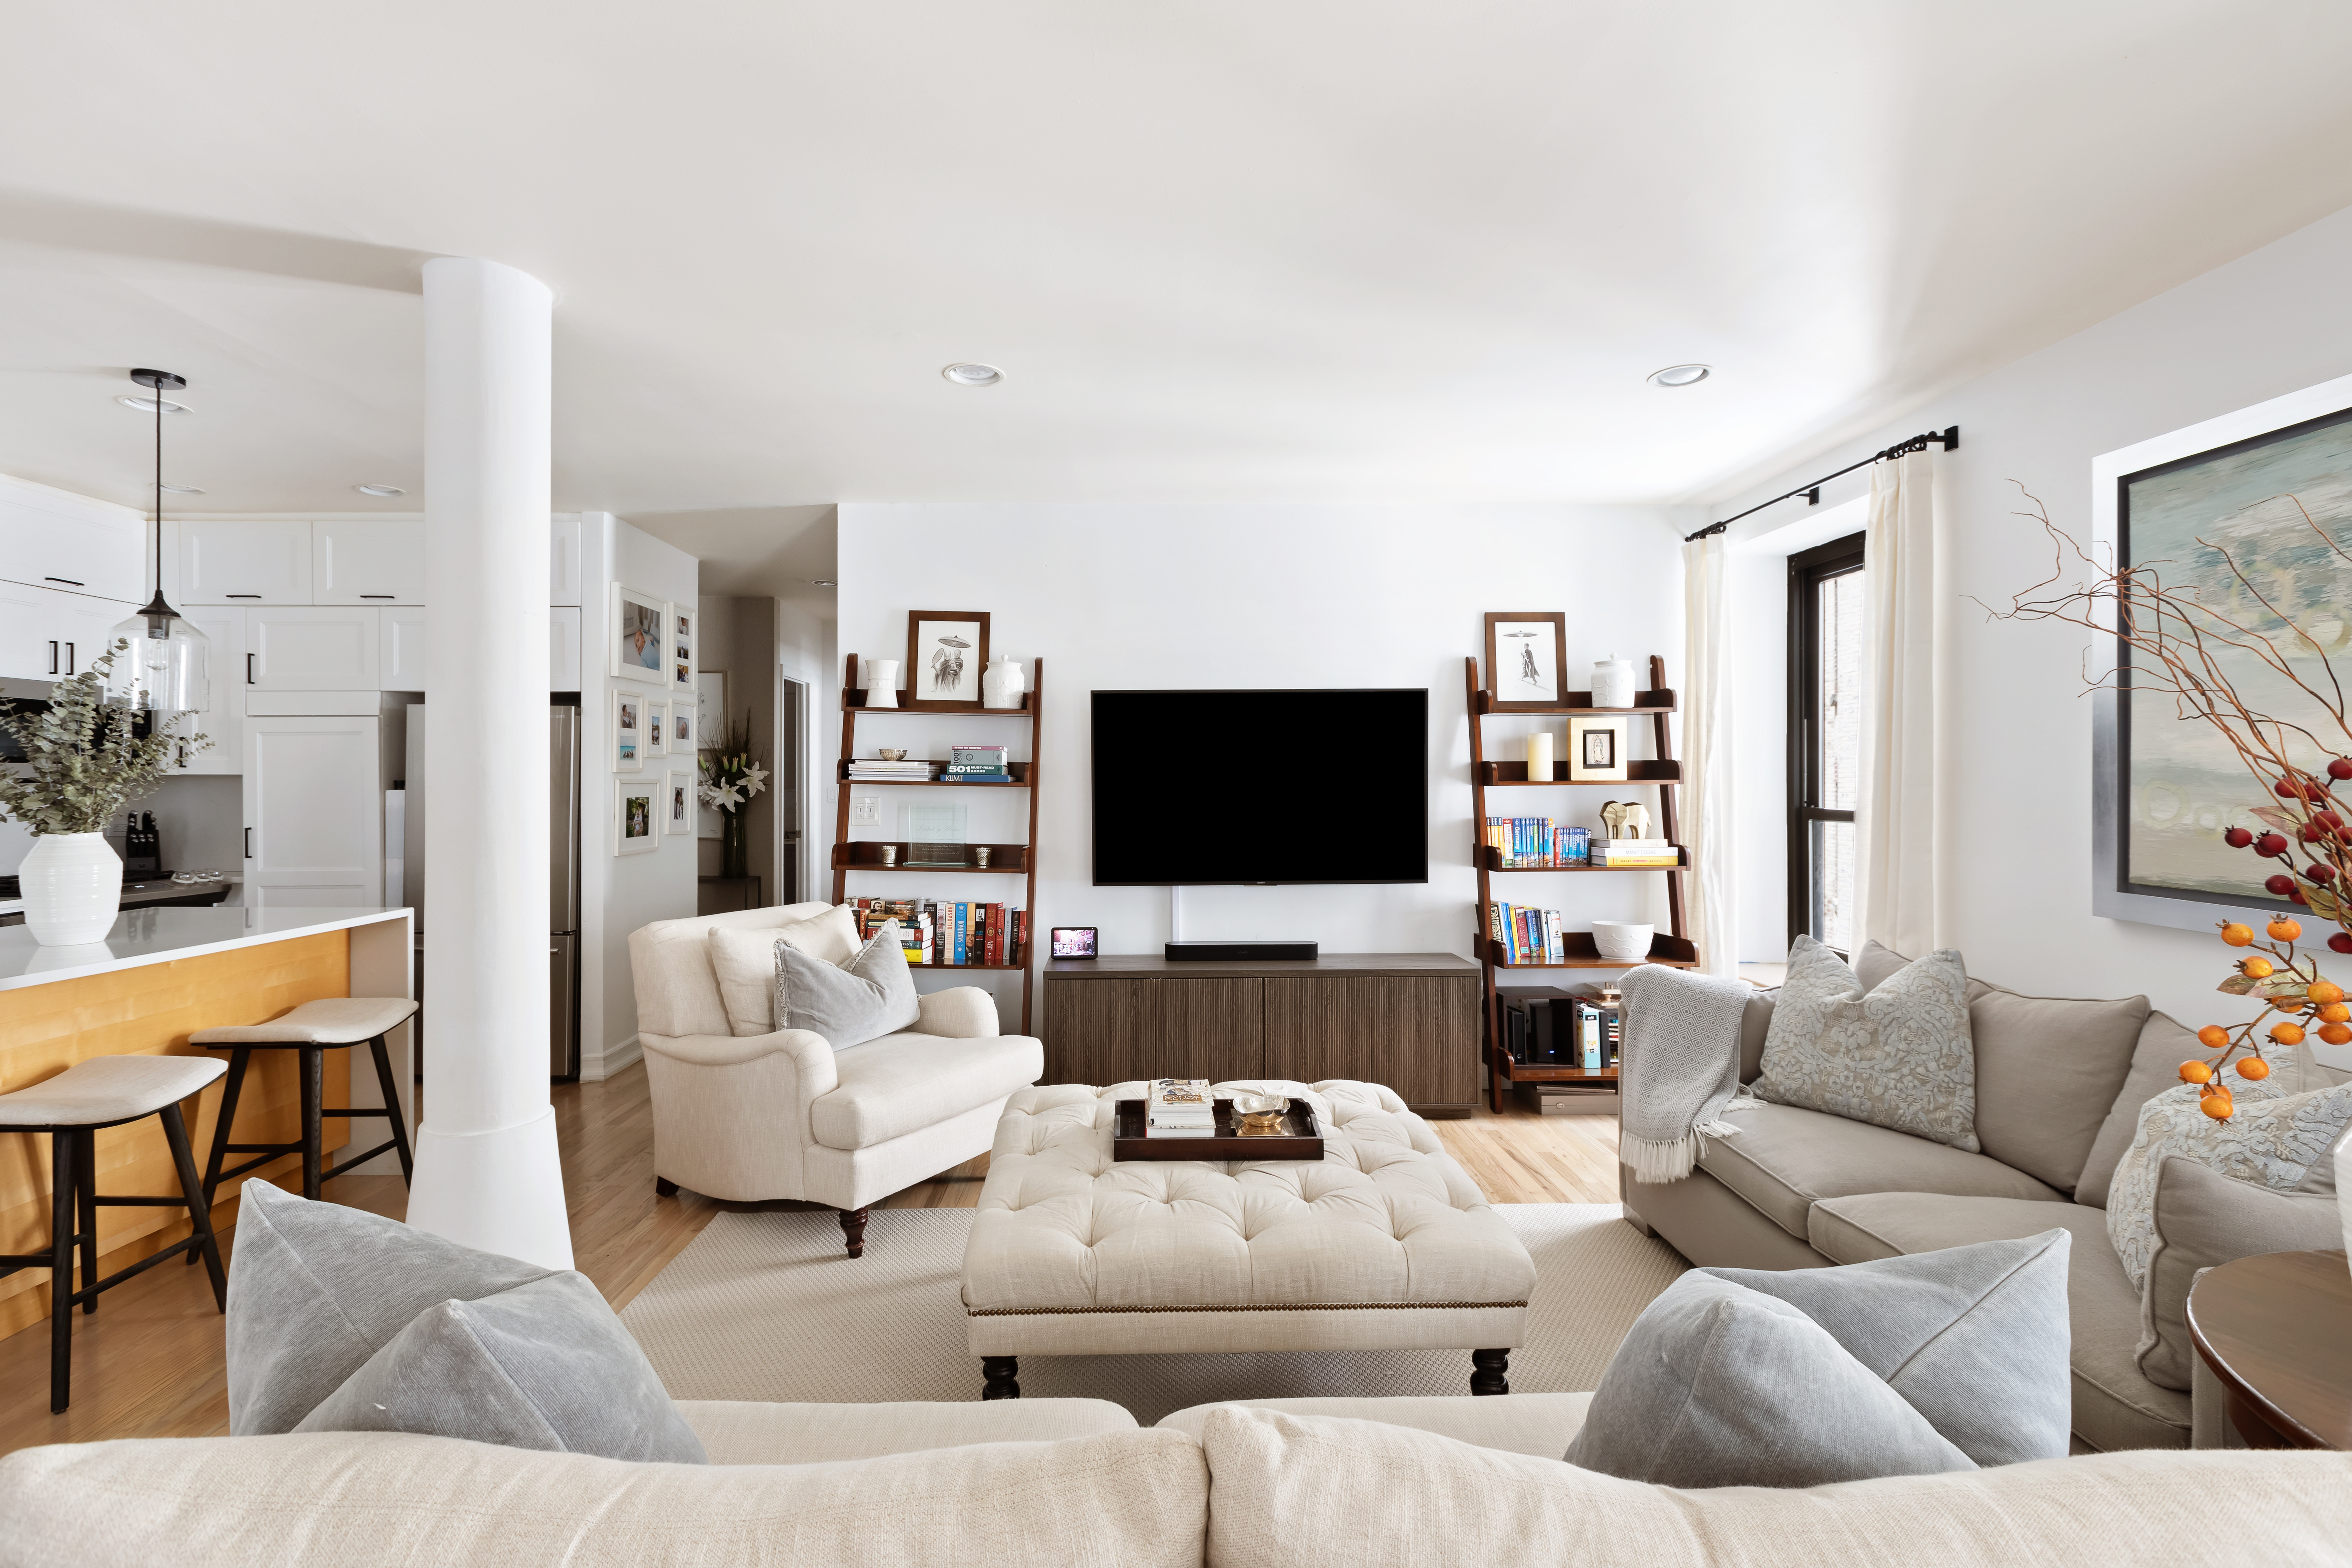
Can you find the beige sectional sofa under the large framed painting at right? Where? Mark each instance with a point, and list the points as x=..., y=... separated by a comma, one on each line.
x=2059, y=1092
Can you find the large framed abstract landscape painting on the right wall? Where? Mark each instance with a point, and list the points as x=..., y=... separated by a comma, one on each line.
x=2254, y=516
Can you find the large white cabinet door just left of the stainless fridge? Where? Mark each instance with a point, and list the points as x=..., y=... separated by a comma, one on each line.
x=314, y=812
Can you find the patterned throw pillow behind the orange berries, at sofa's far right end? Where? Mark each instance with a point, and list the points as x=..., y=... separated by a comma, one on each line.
x=2273, y=1141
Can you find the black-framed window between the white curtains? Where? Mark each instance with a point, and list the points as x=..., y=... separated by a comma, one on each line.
x=1824, y=737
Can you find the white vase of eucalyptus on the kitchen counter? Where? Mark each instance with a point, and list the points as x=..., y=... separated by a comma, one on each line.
x=83, y=765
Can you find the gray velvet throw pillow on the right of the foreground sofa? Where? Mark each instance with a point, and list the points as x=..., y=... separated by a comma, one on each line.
x=1897, y=1367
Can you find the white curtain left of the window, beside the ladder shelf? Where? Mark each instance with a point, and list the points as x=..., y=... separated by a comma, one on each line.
x=1706, y=756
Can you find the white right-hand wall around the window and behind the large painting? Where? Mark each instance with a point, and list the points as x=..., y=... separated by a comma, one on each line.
x=2017, y=775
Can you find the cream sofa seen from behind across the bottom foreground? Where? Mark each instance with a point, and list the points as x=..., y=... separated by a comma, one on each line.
x=1027, y=1485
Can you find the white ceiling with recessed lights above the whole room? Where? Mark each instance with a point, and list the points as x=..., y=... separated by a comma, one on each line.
x=1316, y=250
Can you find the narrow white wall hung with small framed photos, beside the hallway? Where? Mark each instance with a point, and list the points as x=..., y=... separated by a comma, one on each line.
x=620, y=892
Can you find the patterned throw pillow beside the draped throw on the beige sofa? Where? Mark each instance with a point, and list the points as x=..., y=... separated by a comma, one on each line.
x=1899, y=1057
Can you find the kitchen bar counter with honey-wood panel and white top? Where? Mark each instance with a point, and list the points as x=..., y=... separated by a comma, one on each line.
x=159, y=977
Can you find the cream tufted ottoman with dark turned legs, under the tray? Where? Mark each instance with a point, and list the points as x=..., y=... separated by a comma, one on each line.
x=1382, y=1245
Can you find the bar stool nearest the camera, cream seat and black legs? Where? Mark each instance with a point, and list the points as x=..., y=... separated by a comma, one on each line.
x=72, y=1108
